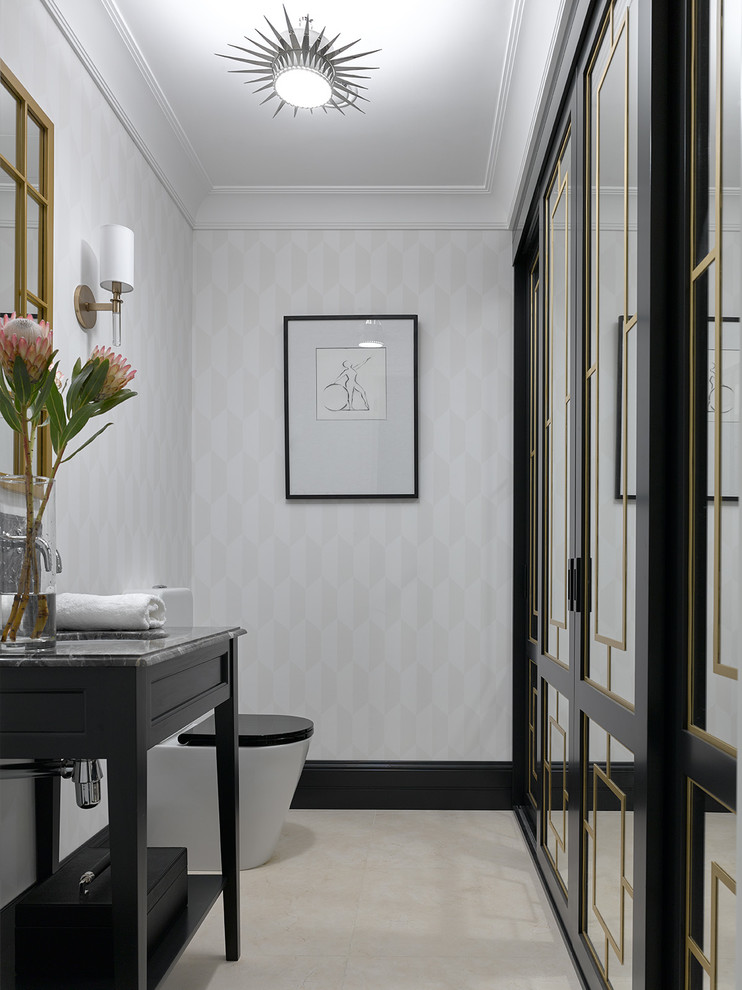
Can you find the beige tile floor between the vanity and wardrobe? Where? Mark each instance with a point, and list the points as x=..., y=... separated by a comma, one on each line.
x=388, y=900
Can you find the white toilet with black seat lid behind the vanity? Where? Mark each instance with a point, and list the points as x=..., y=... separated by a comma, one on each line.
x=181, y=789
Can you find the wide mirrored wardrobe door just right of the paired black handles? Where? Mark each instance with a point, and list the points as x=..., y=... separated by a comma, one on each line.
x=610, y=492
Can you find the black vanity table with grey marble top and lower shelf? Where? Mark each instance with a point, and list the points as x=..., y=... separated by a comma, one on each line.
x=114, y=698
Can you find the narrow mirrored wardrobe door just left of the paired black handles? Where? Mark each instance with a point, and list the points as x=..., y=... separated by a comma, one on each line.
x=557, y=512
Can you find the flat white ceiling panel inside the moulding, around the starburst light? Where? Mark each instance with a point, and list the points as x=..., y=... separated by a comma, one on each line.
x=431, y=103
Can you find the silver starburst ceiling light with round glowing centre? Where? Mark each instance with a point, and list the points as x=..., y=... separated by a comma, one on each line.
x=304, y=70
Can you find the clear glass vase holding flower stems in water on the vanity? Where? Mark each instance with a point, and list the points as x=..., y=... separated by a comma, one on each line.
x=28, y=564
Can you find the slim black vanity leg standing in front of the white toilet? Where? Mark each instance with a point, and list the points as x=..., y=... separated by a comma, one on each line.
x=227, y=772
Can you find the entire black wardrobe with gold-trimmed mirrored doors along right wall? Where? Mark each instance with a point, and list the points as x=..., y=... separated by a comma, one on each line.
x=640, y=467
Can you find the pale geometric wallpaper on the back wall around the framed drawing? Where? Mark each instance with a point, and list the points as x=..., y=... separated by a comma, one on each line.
x=387, y=623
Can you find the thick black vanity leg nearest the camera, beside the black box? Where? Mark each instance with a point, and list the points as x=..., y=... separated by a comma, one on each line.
x=127, y=814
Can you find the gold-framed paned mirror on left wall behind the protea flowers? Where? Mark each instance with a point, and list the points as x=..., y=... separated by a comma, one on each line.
x=26, y=229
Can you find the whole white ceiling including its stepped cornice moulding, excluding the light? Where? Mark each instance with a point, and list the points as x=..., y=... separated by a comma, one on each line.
x=442, y=140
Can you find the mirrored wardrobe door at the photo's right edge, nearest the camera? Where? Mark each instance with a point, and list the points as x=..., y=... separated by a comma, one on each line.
x=714, y=613
